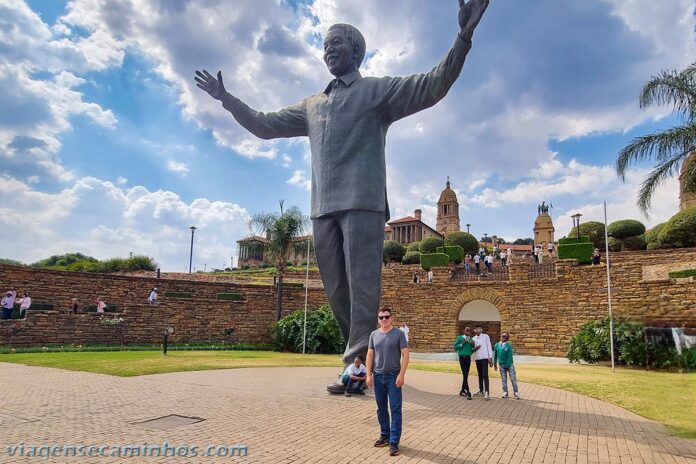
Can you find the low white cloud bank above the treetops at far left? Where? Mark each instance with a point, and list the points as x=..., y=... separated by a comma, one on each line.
x=101, y=219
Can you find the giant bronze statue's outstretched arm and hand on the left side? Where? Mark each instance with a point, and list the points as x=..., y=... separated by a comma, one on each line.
x=288, y=122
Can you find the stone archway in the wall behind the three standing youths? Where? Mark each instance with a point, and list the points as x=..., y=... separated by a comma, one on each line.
x=482, y=307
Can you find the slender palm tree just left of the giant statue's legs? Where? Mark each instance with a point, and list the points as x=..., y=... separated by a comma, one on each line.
x=282, y=232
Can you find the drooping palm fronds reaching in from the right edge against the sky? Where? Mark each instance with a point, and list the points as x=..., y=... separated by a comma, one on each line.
x=669, y=148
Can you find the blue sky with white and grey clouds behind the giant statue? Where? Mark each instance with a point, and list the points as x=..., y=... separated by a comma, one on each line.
x=107, y=146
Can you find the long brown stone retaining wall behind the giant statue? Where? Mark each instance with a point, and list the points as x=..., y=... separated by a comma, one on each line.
x=540, y=313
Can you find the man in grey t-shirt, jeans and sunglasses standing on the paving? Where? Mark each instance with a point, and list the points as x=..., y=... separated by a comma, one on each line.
x=387, y=361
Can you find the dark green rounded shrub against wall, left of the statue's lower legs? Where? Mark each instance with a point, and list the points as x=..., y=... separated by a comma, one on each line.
x=323, y=333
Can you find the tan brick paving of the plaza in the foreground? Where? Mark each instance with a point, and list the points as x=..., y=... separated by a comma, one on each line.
x=284, y=415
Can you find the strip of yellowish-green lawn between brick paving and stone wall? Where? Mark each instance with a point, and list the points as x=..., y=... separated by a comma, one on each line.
x=665, y=397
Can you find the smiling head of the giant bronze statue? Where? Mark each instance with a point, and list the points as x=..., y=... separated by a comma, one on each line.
x=344, y=49
